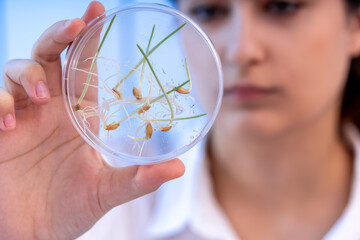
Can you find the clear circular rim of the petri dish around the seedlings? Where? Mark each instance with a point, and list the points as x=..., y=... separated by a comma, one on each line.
x=112, y=157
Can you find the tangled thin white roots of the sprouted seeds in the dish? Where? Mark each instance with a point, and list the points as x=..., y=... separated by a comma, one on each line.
x=115, y=105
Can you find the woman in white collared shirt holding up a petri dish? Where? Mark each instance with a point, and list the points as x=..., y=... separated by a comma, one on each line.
x=281, y=161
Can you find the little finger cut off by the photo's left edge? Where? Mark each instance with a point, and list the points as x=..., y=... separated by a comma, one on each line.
x=7, y=116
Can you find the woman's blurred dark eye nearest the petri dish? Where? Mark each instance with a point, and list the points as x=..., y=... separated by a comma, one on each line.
x=209, y=12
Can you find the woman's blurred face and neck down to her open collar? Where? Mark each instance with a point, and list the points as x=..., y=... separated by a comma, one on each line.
x=282, y=165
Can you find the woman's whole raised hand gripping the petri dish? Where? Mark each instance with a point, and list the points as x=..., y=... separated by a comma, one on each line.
x=52, y=184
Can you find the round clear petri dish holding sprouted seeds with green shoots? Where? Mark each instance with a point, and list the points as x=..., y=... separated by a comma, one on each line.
x=142, y=84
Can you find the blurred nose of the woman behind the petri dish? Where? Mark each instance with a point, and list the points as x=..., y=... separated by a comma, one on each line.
x=245, y=47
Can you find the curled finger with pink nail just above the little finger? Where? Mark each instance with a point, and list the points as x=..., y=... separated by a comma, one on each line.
x=26, y=79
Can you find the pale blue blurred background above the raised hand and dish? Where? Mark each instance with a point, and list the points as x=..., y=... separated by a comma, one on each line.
x=23, y=21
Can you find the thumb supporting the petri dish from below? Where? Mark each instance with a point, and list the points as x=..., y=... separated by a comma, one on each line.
x=118, y=186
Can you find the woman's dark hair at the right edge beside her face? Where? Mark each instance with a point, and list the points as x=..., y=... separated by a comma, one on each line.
x=350, y=110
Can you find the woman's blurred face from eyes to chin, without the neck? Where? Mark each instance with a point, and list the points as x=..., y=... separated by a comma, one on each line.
x=285, y=62
